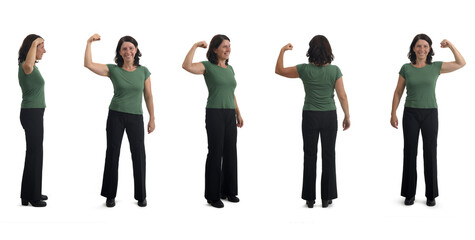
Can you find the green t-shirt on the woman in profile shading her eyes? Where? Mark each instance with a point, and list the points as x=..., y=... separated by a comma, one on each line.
x=32, y=88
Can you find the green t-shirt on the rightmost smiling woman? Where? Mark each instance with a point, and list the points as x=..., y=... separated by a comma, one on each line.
x=420, y=84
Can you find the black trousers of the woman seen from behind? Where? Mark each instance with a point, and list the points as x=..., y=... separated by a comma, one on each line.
x=315, y=123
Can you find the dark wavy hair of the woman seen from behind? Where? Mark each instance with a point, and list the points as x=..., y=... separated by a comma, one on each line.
x=319, y=51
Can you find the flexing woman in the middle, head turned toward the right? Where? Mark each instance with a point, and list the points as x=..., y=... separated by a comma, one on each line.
x=222, y=112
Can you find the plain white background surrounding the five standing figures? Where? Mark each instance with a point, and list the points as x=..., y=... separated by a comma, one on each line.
x=370, y=40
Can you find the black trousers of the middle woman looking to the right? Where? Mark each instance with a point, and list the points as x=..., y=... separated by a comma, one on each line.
x=221, y=163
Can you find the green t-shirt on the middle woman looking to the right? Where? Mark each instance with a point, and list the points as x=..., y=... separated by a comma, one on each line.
x=221, y=84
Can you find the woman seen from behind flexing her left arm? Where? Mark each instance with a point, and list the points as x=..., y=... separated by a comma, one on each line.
x=320, y=80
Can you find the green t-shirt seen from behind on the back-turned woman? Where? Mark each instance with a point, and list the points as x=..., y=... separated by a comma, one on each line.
x=319, y=85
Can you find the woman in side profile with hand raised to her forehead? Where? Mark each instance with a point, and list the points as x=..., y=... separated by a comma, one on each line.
x=31, y=117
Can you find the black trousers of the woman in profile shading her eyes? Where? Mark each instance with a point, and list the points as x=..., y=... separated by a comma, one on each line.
x=32, y=121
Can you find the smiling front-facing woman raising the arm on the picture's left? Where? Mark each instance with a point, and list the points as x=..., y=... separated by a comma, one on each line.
x=130, y=80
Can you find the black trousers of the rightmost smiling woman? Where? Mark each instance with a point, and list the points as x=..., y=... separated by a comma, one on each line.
x=417, y=120
